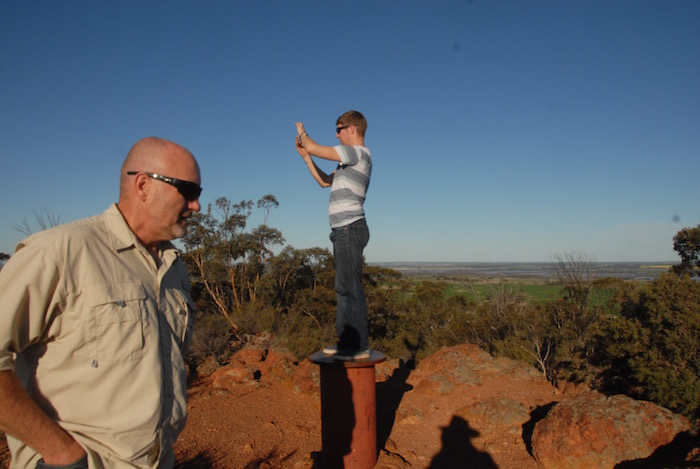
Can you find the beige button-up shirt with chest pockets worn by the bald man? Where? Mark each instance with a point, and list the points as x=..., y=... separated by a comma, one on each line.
x=96, y=331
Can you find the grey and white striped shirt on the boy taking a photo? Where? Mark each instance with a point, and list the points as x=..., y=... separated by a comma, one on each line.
x=350, y=183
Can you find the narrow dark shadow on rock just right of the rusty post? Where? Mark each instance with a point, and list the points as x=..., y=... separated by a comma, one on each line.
x=389, y=396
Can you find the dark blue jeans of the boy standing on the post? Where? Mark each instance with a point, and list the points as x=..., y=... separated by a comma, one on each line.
x=351, y=317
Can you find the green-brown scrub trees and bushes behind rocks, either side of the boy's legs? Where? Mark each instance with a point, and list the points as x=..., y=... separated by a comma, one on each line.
x=640, y=338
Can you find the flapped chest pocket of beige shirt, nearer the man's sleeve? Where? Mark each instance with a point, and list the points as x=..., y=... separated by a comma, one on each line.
x=115, y=331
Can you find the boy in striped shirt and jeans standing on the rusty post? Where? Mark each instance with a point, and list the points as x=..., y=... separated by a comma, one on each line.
x=349, y=232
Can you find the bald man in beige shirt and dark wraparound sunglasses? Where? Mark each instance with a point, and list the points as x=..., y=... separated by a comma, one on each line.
x=95, y=317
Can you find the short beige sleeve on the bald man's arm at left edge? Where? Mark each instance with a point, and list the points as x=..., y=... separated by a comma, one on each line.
x=28, y=286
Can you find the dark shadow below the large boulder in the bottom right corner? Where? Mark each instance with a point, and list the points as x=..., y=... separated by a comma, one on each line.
x=685, y=445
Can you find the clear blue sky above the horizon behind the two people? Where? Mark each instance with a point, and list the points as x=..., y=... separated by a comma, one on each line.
x=499, y=130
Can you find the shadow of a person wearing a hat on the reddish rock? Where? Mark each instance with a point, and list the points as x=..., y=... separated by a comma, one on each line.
x=457, y=449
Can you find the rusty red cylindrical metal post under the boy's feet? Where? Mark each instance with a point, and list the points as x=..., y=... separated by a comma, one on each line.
x=348, y=411
